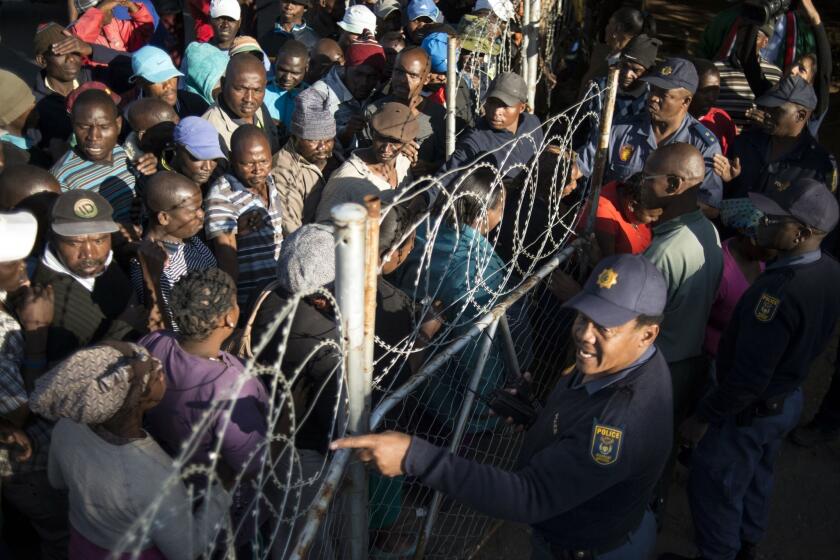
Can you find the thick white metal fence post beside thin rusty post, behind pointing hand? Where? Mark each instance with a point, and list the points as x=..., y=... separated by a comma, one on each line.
x=350, y=235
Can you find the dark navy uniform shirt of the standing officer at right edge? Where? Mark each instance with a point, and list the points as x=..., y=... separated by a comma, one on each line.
x=780, y=325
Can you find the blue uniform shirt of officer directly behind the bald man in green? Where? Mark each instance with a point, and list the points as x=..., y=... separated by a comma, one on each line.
x=632, y=141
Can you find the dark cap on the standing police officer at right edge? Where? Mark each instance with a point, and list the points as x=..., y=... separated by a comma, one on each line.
x=807, y=200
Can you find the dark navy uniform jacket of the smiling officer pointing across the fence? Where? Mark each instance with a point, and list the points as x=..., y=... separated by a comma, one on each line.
x=587, y=467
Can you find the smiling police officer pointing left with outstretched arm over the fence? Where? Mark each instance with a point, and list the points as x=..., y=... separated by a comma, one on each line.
x=592, y=457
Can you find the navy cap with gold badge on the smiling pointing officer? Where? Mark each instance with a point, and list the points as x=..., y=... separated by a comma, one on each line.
x=621, y=288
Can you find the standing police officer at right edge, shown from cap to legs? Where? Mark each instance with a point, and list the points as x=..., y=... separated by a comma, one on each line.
x=780, y=325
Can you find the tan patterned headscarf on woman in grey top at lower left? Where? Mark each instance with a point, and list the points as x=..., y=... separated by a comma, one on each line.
x=92, y=385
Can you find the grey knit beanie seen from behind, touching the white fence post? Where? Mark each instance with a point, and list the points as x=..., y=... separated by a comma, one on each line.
x=307, y=259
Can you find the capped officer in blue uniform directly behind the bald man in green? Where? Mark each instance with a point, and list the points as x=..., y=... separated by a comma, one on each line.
x=672, y=85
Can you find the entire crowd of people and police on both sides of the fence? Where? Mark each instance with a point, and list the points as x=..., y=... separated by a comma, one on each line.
x=163, y=202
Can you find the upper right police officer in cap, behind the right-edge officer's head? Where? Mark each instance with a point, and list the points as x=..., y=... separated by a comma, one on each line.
x=783, y=150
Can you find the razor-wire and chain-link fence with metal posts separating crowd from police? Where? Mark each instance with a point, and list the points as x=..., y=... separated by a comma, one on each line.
x=502, y=320
